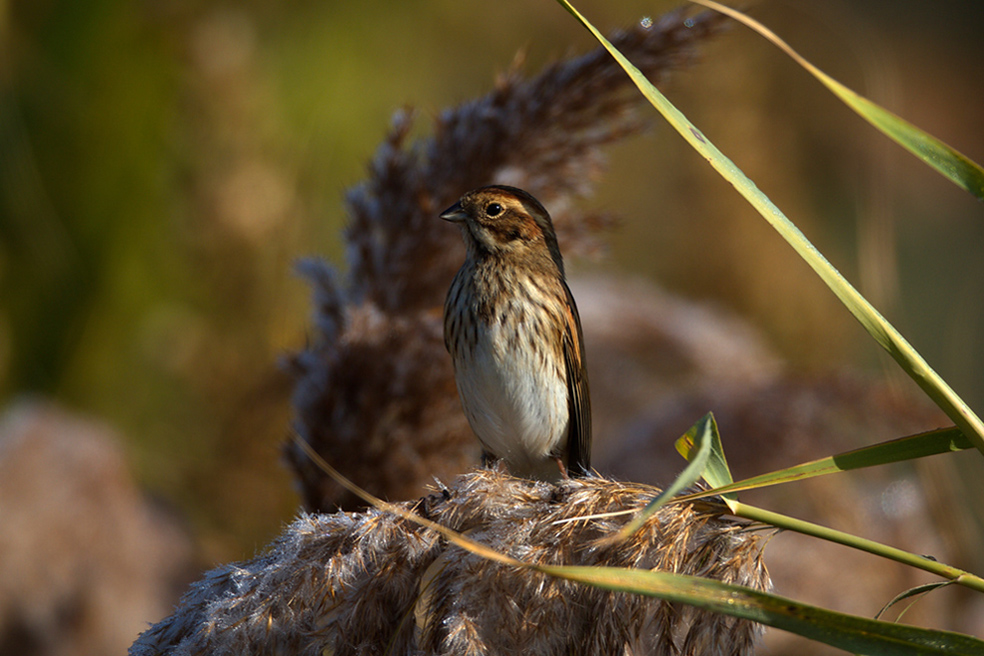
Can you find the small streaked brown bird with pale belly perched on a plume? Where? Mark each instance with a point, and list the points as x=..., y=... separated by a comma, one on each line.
x=514, y=335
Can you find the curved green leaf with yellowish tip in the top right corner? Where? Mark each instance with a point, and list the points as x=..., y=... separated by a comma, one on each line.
x=948, y=161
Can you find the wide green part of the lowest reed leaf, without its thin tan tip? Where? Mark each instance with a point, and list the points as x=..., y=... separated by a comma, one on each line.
x=848, y=632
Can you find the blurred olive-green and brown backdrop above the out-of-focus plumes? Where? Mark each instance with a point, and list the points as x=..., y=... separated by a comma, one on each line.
x=164, y=164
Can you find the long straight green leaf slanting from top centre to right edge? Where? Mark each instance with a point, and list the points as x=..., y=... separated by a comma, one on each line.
x=876, y=325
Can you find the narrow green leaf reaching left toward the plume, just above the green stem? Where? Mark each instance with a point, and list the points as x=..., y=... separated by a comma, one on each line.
x=931, y=443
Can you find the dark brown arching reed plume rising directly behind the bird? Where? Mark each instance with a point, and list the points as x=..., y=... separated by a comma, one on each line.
x=375, y=393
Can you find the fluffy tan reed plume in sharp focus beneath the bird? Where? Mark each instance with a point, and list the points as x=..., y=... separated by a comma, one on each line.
x=374, y=583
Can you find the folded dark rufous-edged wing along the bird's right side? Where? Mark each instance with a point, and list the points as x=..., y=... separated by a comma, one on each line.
x=578, y=398
